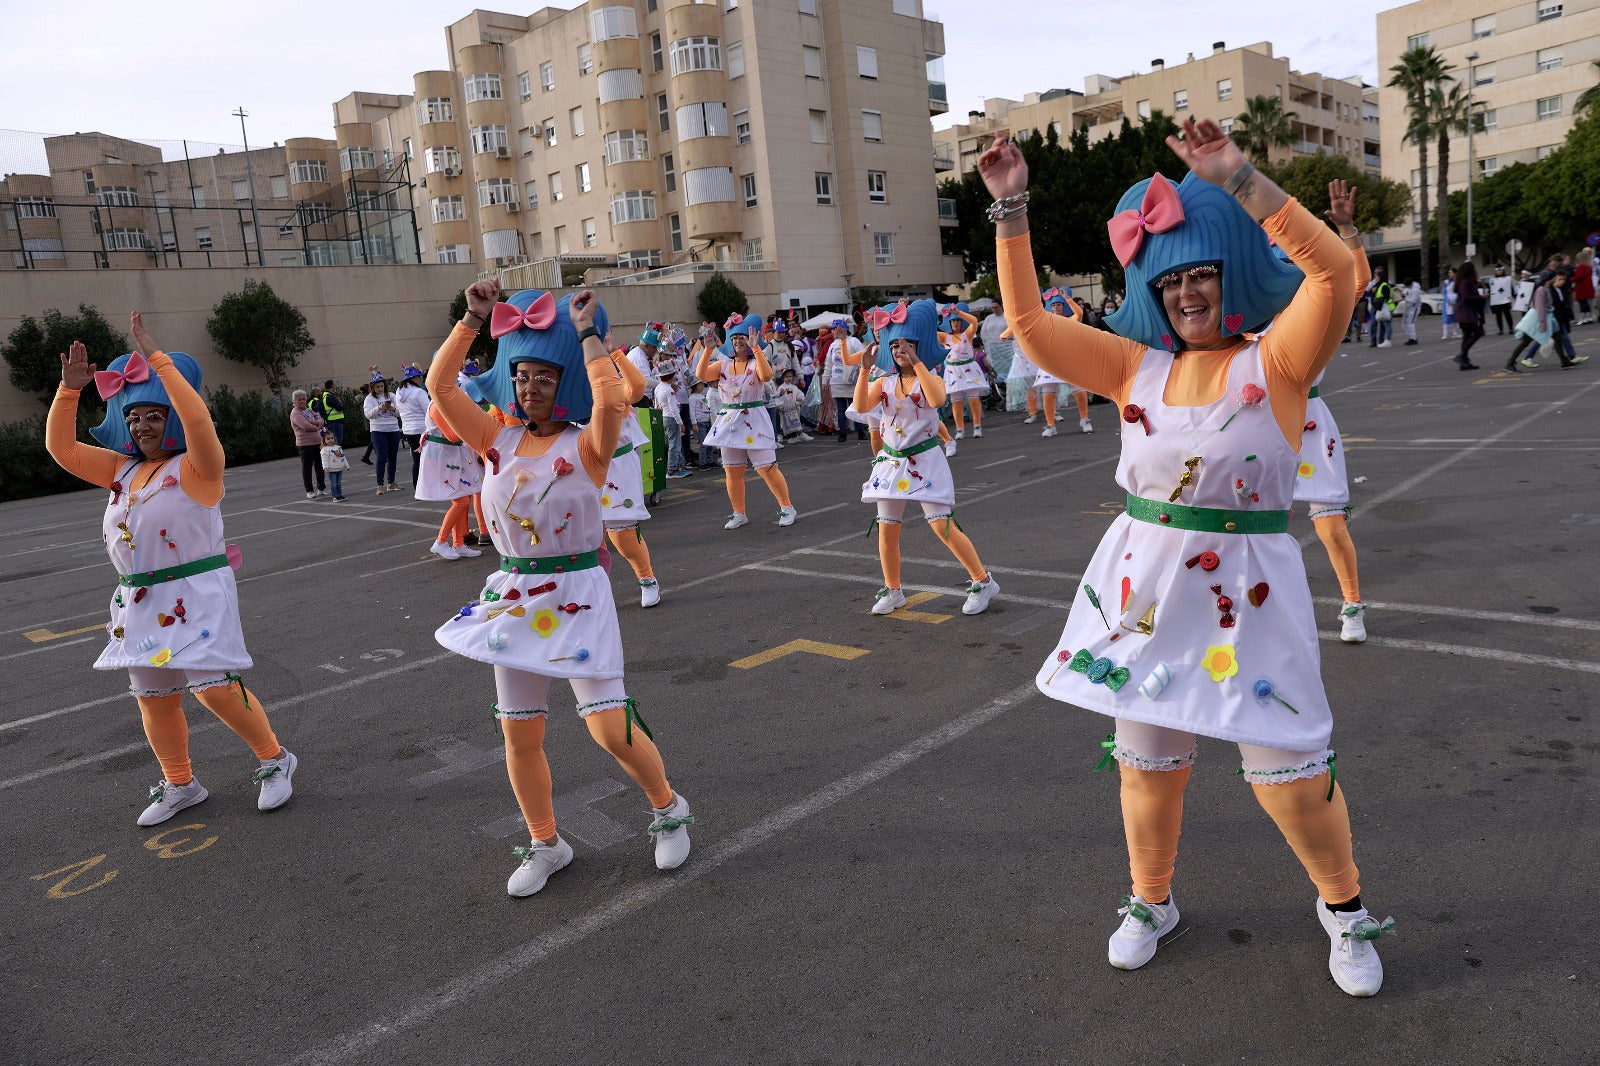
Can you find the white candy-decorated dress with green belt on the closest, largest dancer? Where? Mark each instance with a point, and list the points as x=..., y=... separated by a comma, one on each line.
x=1228, y=614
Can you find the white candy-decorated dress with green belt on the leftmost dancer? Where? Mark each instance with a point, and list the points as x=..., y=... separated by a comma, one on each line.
x=186, y=622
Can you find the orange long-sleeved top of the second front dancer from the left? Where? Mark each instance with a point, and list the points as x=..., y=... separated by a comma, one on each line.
x=479, y=428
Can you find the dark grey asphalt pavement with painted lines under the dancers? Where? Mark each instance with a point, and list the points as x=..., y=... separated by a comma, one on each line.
x=902, y=851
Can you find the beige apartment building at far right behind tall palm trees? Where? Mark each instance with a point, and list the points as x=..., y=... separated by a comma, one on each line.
x=1532, y=62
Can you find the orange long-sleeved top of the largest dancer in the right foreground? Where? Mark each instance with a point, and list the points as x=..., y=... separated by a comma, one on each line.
x=1302, y=342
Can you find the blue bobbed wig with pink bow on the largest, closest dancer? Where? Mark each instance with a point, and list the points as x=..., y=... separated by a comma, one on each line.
x=1257, y=284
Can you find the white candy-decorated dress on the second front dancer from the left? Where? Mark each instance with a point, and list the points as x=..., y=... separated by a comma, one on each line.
x=548, y=609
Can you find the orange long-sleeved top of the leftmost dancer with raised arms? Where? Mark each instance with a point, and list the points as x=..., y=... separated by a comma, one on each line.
x=201, y=471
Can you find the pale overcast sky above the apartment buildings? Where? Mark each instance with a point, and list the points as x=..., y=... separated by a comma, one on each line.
x=175, y=70
